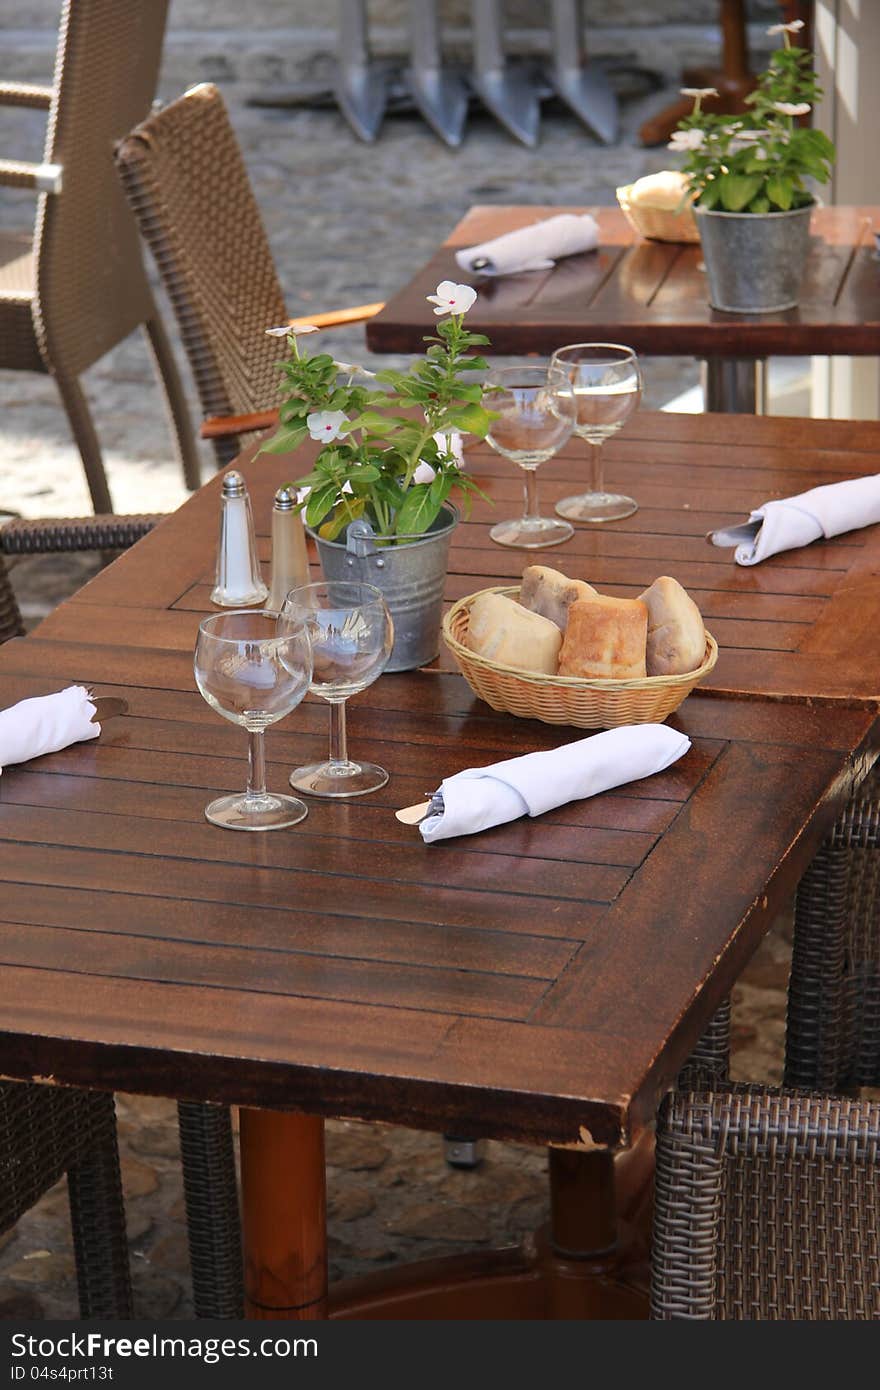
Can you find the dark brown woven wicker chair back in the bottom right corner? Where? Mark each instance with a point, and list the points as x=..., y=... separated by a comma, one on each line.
x=767, y=1207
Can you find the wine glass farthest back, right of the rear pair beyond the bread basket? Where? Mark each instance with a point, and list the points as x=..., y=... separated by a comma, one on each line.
x=608, y=386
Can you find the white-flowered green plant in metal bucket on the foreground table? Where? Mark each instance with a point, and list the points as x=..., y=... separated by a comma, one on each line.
x=377, y=500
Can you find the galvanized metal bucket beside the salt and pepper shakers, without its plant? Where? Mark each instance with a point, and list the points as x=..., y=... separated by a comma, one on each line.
x=411, y=576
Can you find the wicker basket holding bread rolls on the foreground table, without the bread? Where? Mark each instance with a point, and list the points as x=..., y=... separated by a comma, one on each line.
x=568, y=700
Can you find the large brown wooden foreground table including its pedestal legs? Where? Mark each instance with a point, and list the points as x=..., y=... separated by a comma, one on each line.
x=543, y=982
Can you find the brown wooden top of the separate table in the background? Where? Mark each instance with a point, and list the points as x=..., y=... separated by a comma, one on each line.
x=651, y=295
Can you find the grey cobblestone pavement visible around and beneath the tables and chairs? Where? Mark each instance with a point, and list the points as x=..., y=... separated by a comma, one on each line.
x=348, y=224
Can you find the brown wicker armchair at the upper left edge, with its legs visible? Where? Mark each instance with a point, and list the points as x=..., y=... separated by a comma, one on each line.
x=76, y=287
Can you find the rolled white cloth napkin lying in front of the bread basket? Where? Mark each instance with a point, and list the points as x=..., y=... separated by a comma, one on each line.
x=483, y=797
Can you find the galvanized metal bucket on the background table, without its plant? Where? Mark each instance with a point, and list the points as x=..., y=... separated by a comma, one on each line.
x=754, y=261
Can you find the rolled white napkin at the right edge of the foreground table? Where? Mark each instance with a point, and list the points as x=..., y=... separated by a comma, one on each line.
x=793, y=522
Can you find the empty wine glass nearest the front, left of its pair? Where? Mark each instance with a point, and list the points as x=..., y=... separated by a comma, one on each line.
x=254, y=676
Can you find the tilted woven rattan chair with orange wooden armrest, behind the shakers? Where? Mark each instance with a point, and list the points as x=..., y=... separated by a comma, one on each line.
x=190, y=191
